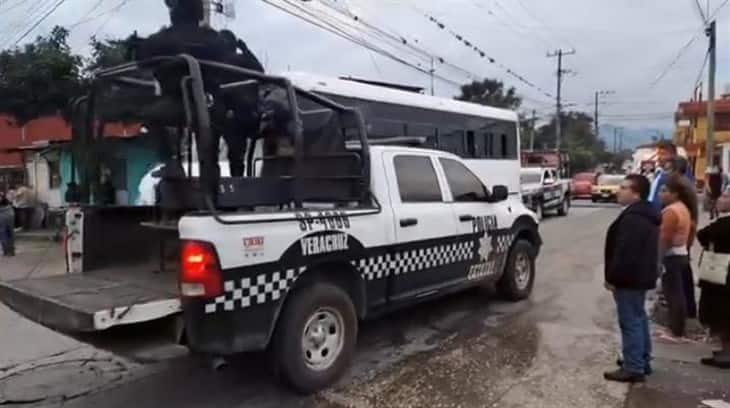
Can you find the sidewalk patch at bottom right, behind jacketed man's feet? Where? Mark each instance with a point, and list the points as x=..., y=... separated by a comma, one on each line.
x=680, y=381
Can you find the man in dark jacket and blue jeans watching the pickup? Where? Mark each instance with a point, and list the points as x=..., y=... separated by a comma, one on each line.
x=632, y=269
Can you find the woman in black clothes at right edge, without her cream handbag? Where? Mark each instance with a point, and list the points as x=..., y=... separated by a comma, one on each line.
x=715, y=298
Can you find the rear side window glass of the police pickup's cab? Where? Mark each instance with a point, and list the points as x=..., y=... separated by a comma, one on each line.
x=417, y=181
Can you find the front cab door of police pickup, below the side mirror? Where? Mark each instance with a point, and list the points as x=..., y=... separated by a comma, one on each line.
x=478, y=221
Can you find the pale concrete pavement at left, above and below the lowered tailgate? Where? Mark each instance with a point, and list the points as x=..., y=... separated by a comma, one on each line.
x=40, y=366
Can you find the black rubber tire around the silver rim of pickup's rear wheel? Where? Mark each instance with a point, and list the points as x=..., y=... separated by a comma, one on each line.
x=288, y=351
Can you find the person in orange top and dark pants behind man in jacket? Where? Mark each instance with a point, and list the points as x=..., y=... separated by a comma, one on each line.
x=676, y=237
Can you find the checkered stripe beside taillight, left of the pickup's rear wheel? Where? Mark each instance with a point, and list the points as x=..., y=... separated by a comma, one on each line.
x=245, y=292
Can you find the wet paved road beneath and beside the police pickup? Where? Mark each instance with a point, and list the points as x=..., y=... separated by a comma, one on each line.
x=466, y=350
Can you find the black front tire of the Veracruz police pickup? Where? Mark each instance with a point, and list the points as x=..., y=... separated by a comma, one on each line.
x=512, y=285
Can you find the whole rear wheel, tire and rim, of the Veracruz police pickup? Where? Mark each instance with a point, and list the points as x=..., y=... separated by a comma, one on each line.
x=316, y=337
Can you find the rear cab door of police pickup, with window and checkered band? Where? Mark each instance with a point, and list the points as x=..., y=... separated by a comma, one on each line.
x=421, y=261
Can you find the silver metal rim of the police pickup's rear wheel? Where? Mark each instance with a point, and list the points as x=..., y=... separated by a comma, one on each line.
x=323, y=338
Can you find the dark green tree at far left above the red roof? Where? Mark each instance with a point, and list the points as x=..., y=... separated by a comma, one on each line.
x=39, y=78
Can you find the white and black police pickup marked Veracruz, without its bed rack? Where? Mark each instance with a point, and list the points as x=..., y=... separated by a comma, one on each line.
x=300, y=280
